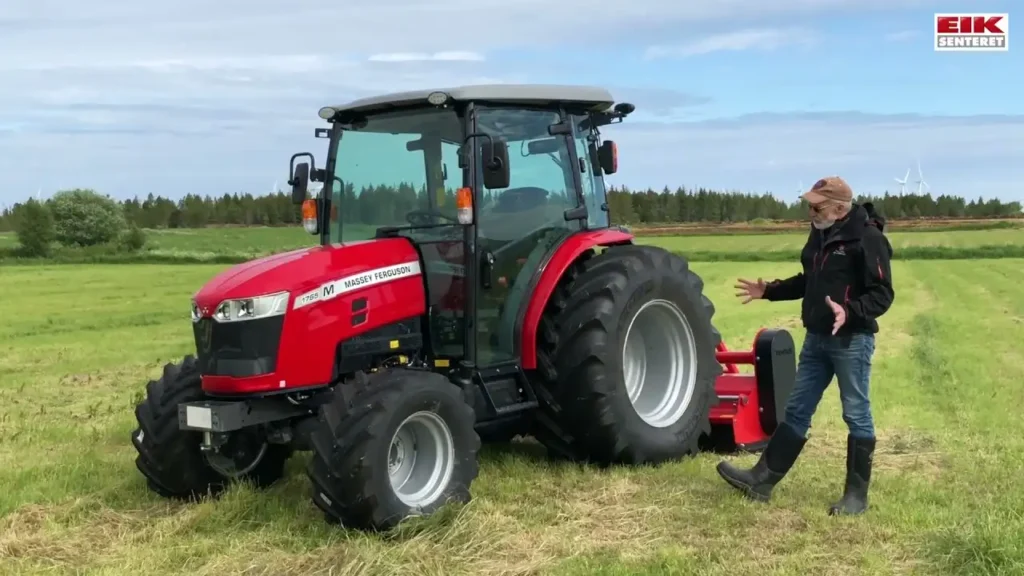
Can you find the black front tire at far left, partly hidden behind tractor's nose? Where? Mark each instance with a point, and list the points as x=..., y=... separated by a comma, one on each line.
x=170, y=459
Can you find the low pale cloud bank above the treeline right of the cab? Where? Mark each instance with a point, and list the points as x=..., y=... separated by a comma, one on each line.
x=760, y=153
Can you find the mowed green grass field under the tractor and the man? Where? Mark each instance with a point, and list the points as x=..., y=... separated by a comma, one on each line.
x=79, y=344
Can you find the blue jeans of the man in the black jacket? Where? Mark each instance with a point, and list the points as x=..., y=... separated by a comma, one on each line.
x=823, y=357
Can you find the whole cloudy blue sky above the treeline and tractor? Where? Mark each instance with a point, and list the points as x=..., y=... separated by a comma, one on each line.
x=131, y=98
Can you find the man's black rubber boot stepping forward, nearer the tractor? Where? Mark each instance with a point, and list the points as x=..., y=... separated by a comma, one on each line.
x=776, y=462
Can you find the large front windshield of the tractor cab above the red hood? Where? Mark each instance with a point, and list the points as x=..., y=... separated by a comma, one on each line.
x=397, y=170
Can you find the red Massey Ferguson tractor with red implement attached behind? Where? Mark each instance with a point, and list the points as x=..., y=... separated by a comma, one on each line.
x=467, y=286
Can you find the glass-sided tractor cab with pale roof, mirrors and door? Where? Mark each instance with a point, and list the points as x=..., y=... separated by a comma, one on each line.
x=486, y=181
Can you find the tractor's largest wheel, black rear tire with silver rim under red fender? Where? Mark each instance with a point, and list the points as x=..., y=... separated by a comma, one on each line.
x=586, y=408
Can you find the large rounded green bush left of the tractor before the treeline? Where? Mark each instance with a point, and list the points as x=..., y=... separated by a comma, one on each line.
x=83, y=218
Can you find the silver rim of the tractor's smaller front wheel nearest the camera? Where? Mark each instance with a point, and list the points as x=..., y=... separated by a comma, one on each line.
x=421, y=460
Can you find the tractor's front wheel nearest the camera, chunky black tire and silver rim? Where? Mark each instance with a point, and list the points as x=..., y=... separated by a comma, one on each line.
x=357, y=461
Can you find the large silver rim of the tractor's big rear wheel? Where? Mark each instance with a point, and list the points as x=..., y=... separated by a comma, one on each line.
x=660, y=363
